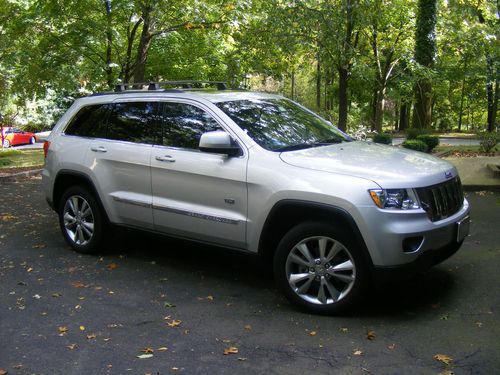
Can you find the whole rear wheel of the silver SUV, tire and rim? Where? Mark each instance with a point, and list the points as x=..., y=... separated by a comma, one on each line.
x=81, y=220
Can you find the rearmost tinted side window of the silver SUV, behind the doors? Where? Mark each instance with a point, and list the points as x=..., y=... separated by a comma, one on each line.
x=90, y=121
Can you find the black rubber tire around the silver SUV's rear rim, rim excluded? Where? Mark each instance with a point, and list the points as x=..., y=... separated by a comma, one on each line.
x=93, y=245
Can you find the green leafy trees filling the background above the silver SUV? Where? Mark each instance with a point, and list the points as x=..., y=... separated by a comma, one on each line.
x=357, y=62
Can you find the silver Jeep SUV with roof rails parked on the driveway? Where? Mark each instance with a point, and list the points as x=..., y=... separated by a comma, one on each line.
x=256, y=173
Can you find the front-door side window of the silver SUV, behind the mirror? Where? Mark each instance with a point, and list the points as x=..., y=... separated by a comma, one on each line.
x=183, y=125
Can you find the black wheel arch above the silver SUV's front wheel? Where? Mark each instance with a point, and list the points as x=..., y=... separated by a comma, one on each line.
x=286, y=214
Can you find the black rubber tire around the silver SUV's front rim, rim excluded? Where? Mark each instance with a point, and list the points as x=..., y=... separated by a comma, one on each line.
x=313, y=229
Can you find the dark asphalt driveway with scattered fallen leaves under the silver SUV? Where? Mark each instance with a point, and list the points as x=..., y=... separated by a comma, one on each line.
x=65, y=313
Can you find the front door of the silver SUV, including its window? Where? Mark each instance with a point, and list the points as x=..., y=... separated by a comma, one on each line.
x=197, y=194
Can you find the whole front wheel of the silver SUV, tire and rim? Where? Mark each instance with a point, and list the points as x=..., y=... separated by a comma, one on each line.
x=320, y=268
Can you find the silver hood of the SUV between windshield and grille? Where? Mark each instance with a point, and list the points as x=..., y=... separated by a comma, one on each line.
x=388, y=166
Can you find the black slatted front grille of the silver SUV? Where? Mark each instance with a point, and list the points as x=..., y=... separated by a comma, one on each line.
x=442, y=200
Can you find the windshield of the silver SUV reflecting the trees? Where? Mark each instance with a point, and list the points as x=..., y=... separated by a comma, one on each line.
x=281, y=125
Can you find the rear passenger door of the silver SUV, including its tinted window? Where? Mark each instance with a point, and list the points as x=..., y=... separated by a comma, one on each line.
x=120, y=161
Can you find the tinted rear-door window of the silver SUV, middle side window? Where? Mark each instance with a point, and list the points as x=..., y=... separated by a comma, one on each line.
x=133, y=122
